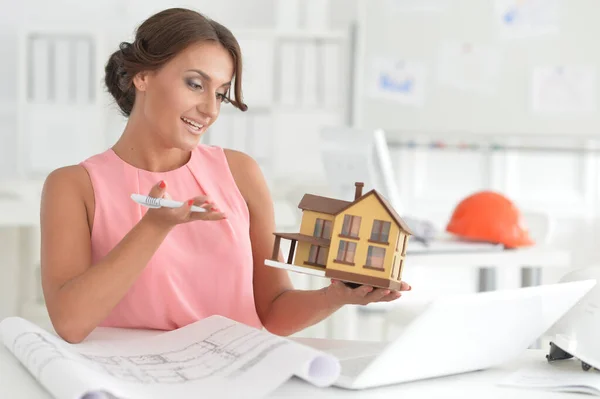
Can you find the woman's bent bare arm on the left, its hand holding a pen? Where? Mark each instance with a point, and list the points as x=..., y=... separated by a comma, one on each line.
x=80, y=295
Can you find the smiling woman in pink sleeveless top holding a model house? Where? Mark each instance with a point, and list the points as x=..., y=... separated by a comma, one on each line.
x=107, y=261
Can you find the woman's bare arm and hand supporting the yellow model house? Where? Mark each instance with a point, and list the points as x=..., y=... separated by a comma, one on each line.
x=282, y=309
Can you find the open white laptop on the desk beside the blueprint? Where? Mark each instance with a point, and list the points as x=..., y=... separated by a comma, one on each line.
x=462, y=333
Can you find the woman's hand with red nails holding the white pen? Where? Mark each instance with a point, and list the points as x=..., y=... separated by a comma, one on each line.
x=169, y=217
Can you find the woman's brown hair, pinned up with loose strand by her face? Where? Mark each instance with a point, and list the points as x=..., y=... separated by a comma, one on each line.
x=160, y=38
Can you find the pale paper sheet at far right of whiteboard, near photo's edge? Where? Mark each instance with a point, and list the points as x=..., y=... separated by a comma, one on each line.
x=568, y=90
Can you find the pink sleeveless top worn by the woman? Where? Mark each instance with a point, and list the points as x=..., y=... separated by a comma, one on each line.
x=202, y=268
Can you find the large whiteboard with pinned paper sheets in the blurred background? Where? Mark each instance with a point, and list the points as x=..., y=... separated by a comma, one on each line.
x=516, y=92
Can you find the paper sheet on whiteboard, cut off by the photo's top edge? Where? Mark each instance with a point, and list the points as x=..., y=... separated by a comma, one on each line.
x=526, y=18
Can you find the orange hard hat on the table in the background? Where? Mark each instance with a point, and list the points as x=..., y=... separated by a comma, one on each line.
x=491, y=217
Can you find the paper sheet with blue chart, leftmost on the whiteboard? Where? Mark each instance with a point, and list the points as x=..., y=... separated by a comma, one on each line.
x=397, y=80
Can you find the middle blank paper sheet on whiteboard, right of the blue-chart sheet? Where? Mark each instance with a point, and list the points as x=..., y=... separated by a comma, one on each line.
x=469, y=67
